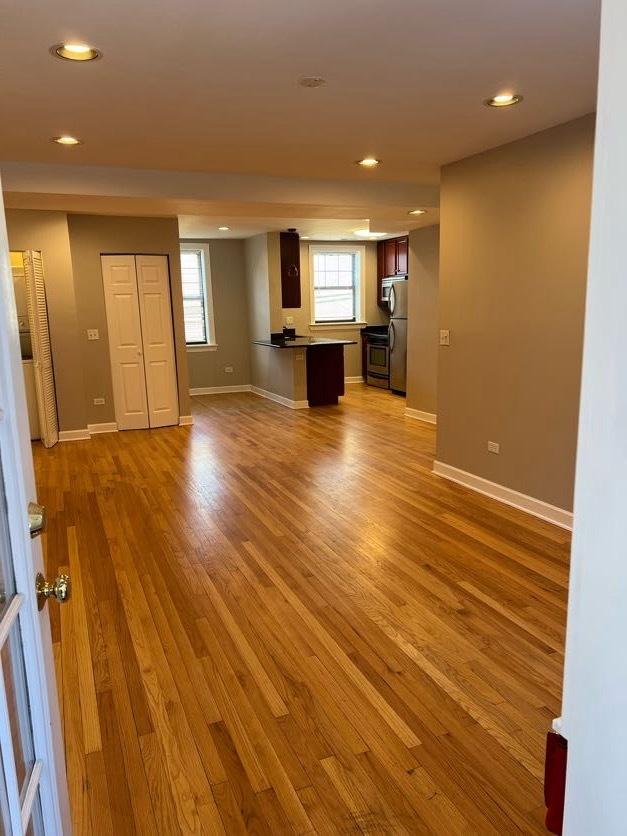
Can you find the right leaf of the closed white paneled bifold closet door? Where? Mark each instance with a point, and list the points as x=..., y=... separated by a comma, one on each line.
x=153, y=282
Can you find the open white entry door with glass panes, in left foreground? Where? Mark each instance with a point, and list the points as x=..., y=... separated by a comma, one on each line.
x=33, y=792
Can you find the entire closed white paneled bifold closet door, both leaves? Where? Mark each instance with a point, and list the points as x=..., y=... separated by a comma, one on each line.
x=141, y=341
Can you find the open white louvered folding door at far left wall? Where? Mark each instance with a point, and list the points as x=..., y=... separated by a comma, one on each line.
x=42, y=354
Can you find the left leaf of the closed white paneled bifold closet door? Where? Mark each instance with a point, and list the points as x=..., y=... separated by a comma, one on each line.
x=125, y=341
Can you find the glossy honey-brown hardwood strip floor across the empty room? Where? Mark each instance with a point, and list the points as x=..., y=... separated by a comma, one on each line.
x=282, y=622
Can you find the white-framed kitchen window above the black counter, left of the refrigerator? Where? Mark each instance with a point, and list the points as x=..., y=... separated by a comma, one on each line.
x=337, y=285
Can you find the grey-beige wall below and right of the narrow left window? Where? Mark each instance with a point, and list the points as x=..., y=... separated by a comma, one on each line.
x=228, y=285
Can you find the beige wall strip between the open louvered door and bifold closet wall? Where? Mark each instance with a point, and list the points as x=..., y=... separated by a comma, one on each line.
x=48, y=232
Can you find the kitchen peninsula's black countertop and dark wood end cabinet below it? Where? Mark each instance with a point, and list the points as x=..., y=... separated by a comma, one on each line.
x=324, y=360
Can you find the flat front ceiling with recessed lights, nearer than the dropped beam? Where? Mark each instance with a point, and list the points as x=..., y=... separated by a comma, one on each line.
x=200, y=86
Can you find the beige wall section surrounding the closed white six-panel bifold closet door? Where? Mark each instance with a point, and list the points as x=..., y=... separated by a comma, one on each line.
x=93, y=235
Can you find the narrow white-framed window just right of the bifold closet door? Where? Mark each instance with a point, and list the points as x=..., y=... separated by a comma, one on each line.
x=197, y=301
